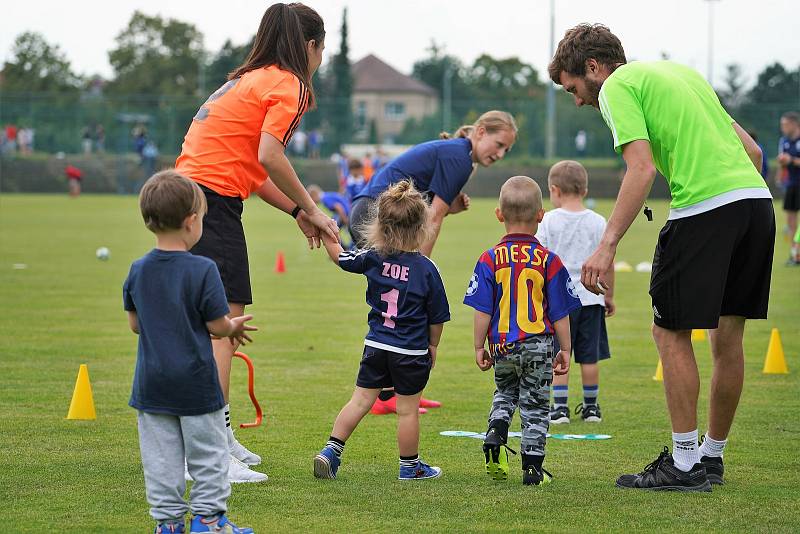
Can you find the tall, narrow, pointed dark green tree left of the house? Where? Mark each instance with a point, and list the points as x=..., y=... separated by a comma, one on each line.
x=341, y=109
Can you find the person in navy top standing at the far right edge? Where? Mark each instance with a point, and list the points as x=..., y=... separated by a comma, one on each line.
x=789, y=172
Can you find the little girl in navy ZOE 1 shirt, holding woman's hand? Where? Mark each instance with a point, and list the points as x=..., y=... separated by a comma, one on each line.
x=408, y=309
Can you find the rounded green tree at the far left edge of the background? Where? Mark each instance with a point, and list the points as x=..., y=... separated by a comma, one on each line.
x=37, y=66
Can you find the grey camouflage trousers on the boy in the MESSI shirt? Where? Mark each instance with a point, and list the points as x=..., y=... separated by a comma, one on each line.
x=522, y=378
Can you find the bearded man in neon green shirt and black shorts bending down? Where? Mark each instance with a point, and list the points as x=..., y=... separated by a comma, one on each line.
x=713, y=260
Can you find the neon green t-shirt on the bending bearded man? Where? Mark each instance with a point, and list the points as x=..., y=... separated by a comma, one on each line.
x=693, y=143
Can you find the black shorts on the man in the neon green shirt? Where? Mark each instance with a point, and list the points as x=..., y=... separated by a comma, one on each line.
x=713, y=264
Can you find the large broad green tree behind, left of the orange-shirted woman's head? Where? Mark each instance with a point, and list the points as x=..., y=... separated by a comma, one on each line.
x=157, y=56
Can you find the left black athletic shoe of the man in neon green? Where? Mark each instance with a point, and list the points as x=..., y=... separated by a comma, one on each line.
x=661, y=474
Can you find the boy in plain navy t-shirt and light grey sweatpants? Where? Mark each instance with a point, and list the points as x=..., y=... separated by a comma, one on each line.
x=174, y=301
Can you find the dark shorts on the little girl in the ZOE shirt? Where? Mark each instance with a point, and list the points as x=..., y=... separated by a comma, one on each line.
x=383, y=369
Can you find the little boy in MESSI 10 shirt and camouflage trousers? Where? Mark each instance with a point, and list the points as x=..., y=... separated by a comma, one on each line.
x=522, y=295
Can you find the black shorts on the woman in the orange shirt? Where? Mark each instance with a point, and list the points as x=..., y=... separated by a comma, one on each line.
x=223, y=241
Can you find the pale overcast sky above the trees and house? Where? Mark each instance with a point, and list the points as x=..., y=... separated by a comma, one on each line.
x=747, y=32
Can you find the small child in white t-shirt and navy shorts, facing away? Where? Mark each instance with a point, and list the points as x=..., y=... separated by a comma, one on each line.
x=573, y=232
